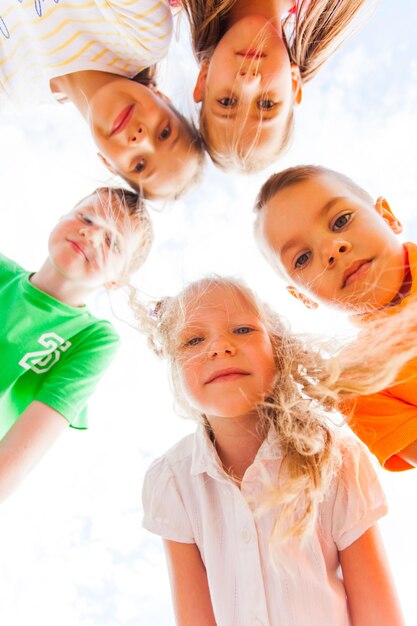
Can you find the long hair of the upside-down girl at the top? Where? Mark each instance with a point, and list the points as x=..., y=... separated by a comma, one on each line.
x=311, y=36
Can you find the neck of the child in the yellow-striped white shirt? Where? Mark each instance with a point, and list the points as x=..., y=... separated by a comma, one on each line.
x=80, y=87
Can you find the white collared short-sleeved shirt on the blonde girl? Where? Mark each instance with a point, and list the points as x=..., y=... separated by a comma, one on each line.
x=187, y=497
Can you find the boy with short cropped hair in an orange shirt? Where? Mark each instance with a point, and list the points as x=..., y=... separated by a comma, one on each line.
x=334, y=244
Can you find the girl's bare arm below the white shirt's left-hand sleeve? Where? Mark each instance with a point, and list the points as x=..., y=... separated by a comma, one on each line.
x=189, y=585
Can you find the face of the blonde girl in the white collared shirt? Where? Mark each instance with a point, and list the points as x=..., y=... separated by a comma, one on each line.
x=225, y=358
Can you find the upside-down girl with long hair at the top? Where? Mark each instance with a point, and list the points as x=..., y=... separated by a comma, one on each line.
x=254, y=59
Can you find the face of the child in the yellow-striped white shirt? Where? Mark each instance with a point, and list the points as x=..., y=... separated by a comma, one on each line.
x=141, y=138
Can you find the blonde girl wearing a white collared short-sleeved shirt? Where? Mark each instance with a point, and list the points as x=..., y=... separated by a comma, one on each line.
x=263, y=503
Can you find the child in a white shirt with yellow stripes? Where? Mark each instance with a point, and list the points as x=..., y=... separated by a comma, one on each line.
x=92, y=54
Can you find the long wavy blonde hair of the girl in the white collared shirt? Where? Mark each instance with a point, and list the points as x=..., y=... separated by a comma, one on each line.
x=311, y=380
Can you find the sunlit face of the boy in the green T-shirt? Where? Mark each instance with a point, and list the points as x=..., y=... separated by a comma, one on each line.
x=89, y=246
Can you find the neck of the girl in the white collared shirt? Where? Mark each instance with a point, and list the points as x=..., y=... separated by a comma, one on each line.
x=237, y=441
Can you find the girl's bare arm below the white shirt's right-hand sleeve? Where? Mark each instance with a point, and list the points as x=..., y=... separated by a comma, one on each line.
x=369, y=587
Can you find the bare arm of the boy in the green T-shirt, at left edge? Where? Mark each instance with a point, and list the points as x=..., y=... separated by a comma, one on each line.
x=26, y=442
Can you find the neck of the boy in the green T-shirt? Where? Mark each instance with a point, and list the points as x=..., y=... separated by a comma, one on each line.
x=48, y=280
